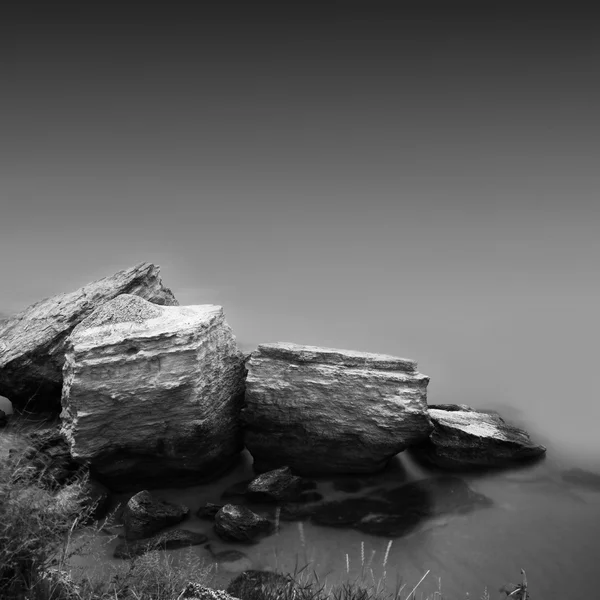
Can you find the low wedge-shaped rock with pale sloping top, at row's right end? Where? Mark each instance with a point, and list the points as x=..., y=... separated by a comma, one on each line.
x=467, y=439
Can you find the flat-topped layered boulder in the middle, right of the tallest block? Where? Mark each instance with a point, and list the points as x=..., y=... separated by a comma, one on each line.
x=325, y=411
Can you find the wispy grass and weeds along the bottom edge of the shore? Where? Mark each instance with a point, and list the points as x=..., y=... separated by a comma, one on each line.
x=42, y=530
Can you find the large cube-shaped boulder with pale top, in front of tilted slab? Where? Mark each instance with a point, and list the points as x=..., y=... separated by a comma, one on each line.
x=152, y=394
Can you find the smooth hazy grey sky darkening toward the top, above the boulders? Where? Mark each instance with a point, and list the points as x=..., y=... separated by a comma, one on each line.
x=419, y=180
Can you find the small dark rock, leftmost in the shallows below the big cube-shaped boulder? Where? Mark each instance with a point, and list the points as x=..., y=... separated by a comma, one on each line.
x=145, y=515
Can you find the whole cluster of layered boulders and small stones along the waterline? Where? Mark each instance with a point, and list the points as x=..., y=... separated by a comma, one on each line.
x=153, y=394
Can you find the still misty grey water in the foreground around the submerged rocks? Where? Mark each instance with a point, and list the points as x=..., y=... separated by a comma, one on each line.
x=538, y=522
